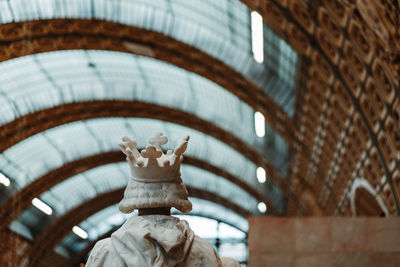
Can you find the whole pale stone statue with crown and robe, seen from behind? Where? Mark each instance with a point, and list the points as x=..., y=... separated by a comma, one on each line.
x=155, y=238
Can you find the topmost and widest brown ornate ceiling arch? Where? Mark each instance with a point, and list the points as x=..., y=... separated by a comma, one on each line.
x=66, y=34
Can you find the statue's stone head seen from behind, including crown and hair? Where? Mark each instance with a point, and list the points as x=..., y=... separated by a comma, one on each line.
x=155, y=176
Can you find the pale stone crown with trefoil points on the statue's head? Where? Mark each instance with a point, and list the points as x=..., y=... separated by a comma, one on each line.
x=151, y=165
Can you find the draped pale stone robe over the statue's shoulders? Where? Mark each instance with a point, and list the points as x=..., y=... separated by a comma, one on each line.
x=155, y=240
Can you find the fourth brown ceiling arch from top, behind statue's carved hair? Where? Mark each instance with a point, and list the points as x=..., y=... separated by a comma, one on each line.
x=61, y=227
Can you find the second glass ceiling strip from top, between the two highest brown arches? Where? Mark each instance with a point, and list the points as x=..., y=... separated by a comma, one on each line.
x=36, y=82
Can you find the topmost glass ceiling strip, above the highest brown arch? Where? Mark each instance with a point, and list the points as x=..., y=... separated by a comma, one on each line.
x=219, y=28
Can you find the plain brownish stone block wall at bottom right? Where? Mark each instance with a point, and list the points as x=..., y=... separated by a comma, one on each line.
x=324, y=241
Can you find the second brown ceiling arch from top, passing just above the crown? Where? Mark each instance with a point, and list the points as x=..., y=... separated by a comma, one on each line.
x=45, y=120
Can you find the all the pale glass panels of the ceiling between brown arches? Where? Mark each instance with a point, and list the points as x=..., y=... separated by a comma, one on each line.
x=219, y=28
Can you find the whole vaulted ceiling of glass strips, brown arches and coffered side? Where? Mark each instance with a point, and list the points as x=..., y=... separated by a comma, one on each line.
x=76, y=76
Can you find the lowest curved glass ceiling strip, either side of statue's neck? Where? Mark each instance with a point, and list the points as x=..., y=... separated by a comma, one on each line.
x=109, y=218
